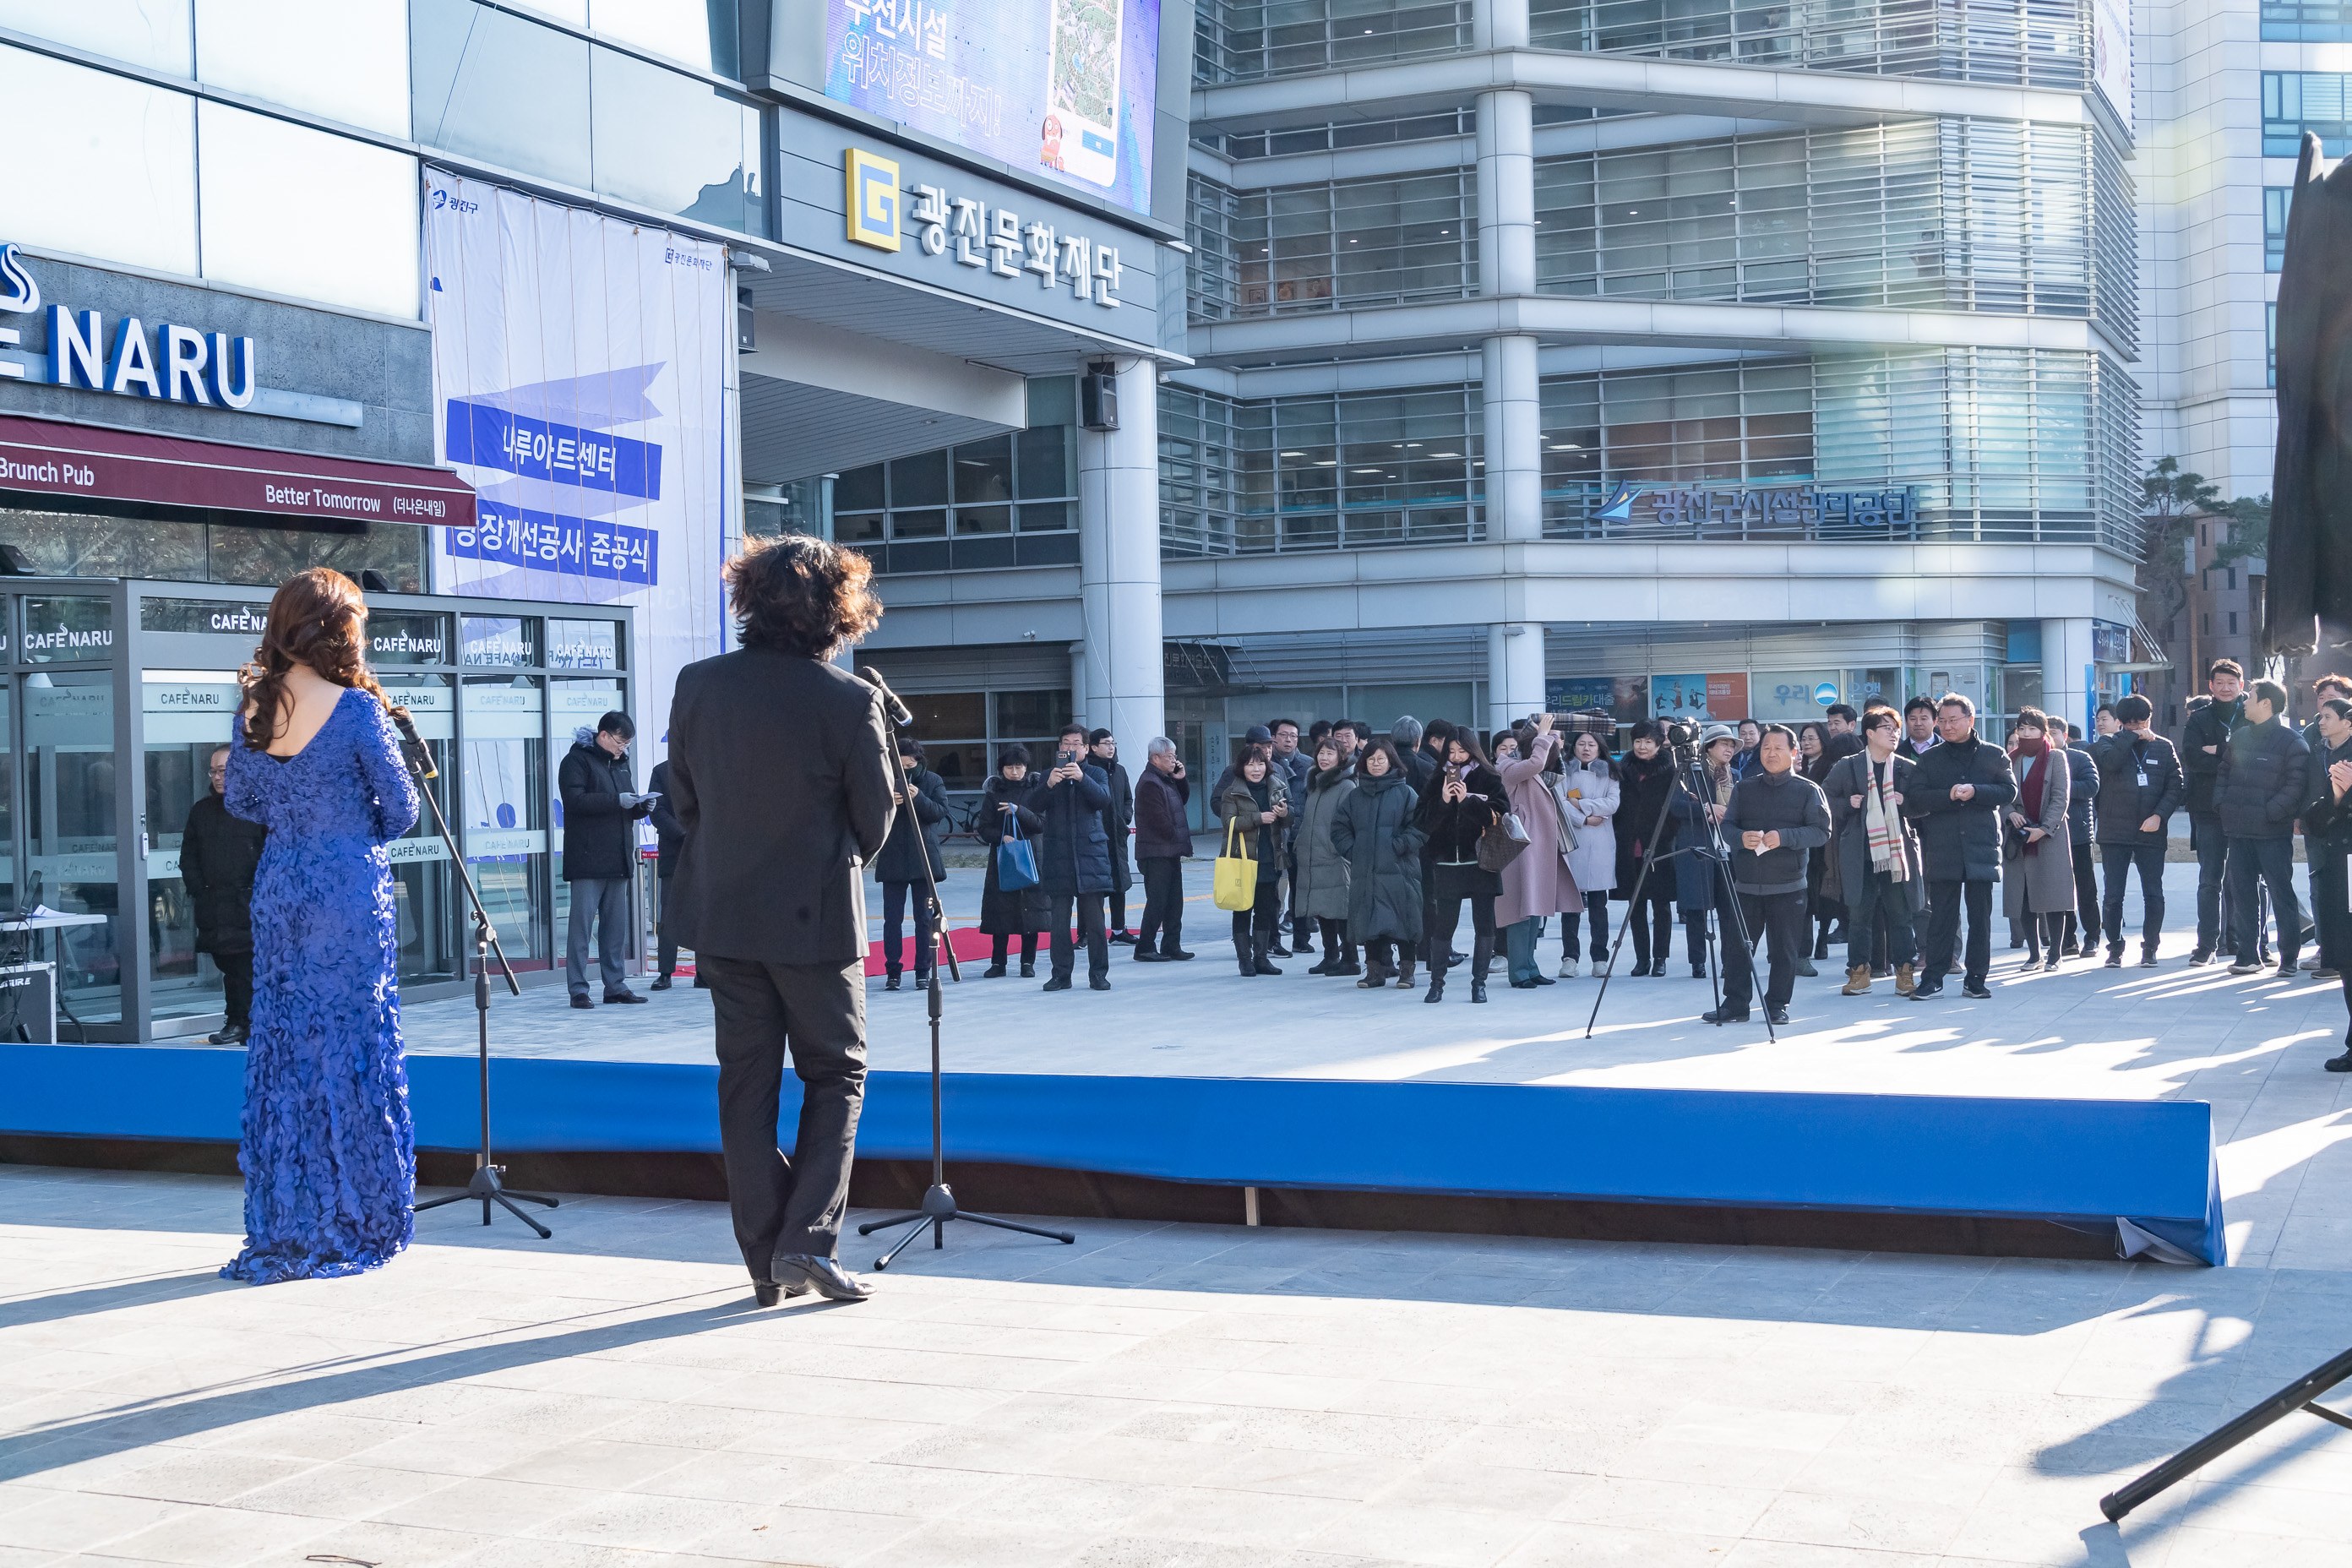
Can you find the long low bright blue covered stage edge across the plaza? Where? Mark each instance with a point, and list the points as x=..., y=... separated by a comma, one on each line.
x=2083, y=1162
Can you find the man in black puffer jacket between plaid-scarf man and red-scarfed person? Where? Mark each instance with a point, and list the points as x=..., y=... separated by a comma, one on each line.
x=1960, y=843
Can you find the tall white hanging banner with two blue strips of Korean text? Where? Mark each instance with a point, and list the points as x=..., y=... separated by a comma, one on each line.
x=580, y=387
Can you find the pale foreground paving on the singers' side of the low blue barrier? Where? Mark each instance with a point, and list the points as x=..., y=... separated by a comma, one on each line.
x=1158, y=1395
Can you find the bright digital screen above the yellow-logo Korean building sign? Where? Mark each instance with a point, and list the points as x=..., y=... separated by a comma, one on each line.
x=1057, y=88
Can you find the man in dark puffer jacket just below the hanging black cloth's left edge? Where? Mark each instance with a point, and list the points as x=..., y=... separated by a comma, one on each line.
x=2261, y=789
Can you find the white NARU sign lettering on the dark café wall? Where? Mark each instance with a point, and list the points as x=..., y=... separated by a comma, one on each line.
x=175, y=363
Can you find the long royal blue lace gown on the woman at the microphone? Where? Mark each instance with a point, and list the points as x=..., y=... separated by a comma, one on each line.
x=328, y=1151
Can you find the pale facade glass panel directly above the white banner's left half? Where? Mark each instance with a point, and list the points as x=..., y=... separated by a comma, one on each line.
x=500, y=88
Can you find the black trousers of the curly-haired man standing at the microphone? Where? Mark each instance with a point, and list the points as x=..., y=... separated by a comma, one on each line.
x=817, y=1017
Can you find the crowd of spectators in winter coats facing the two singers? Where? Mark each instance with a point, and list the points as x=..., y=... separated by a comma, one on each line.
x=1885, y=831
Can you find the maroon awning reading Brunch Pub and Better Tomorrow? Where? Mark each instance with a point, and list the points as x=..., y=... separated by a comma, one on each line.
x=100, y=464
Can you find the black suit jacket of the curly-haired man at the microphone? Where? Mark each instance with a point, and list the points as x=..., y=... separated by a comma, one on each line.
x=782, y=784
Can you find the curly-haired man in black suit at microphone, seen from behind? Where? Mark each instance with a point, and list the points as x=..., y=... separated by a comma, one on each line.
x=782, y=784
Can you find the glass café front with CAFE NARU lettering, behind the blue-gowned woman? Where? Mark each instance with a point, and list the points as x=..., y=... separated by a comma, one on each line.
x=121, y=690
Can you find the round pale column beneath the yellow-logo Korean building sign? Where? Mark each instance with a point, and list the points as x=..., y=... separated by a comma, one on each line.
x=1118, y=568
